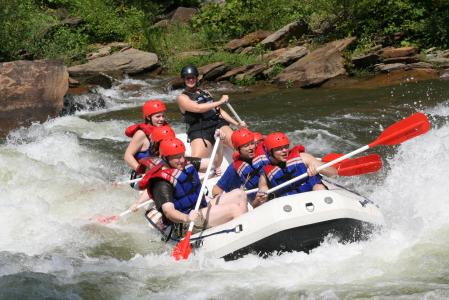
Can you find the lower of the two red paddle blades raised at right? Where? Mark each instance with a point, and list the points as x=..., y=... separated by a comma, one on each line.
x=361, y=165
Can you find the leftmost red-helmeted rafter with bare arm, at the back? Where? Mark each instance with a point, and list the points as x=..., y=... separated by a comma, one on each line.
x=141, y=144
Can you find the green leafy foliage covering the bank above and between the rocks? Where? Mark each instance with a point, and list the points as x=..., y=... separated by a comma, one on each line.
x=32, y=29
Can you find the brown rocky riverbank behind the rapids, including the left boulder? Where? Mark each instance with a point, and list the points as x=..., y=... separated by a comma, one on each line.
x=34, y=90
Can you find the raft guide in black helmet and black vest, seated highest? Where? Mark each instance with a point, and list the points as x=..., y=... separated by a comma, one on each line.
x=202, y=114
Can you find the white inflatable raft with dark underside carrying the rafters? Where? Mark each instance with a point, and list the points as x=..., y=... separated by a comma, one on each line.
x=292, y=223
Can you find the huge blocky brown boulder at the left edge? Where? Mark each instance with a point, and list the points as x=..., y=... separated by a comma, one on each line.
x=31, y=91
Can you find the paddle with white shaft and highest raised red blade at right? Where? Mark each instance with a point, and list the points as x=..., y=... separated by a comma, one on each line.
x=397, y=133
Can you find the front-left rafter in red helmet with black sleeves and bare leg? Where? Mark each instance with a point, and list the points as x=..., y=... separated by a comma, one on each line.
x=175, y=185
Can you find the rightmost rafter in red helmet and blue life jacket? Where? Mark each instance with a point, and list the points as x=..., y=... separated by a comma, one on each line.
x=286, y=164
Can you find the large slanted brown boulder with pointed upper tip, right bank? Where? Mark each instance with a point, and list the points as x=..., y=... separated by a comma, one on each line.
x=320, y=65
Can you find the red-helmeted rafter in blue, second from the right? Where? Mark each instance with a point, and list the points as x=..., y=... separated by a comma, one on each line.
x=245, y=171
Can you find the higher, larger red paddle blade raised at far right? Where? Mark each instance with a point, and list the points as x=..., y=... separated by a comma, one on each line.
x=403, y=130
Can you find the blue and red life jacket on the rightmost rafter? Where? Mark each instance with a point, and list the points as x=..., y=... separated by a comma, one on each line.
x=294, y=166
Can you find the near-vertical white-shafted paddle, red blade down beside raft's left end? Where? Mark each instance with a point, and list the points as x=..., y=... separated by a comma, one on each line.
x=183, y=248
